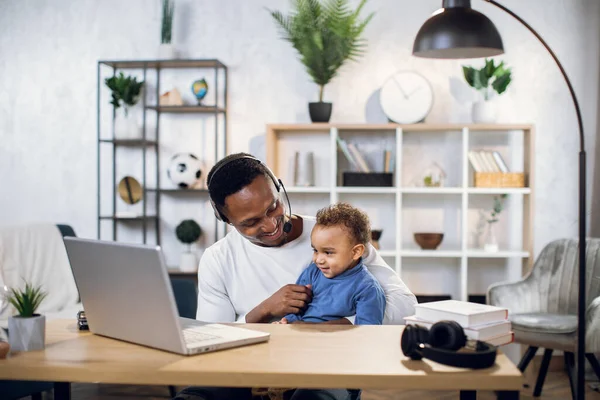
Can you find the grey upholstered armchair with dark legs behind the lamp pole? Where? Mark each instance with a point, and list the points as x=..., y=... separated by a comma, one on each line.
x=543, y=306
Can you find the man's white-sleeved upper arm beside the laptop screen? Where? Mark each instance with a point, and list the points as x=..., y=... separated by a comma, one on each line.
x=214, y=304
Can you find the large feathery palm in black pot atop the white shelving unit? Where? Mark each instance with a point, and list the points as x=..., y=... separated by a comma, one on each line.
x=325, y=35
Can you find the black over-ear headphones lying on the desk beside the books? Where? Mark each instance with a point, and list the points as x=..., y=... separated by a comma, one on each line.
x=441, y=343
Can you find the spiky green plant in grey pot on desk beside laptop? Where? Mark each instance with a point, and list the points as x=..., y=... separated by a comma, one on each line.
x=26, y=330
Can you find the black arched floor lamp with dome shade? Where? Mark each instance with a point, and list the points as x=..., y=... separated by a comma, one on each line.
x=458, y=31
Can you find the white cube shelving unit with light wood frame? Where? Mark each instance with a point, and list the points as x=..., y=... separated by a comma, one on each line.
x=459, y=267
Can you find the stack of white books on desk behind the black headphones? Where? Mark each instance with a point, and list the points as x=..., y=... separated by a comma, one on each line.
x=479, y=321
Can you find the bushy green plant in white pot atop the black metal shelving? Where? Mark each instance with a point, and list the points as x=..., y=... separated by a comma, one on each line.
x=125, y=93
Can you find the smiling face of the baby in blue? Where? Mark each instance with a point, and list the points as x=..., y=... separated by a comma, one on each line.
x=332, y=250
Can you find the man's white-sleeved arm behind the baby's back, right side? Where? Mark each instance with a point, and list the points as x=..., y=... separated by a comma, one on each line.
x=400, y=301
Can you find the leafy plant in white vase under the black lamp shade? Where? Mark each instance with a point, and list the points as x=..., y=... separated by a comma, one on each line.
x=487, y=80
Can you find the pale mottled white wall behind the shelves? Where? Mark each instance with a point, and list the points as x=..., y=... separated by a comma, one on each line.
x=49, y=51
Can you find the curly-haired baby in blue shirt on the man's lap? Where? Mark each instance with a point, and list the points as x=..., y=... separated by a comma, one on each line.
x=341, y=285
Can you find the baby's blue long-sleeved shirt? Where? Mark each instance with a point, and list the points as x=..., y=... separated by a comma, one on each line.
x=353, y=292
